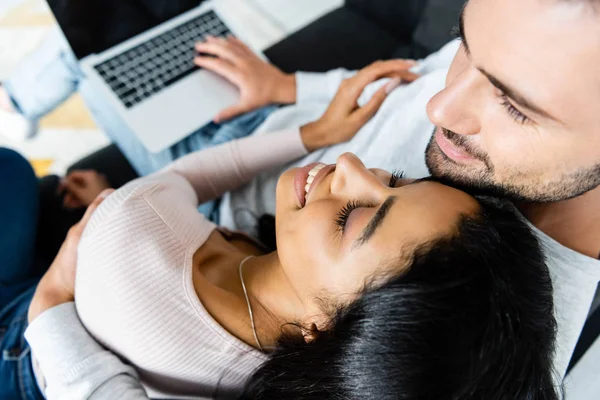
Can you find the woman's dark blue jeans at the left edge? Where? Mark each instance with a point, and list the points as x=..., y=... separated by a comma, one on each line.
x=18, y=274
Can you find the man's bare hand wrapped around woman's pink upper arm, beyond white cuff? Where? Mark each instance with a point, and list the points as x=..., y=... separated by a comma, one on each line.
x=58, y=284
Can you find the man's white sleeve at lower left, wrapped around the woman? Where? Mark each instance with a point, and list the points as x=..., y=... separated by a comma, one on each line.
x=74, y=365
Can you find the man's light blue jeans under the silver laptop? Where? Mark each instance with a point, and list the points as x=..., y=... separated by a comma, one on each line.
x=52, y=74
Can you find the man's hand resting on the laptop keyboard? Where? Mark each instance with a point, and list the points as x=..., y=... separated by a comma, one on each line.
x=259, y=82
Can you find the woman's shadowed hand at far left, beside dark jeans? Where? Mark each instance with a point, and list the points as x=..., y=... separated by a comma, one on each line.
x=82, y=187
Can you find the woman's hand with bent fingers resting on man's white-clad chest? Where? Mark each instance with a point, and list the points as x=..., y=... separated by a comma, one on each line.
x=344, y=118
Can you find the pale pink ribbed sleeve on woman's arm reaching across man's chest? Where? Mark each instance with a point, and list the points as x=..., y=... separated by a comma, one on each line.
x=217, y=170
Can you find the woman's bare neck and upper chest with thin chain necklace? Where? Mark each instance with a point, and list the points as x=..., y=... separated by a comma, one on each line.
x=218, y=286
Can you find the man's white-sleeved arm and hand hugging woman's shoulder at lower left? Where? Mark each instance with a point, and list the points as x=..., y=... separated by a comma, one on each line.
x=73, y=364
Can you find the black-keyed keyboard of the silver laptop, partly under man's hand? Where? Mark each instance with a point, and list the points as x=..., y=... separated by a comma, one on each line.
x=148, y=68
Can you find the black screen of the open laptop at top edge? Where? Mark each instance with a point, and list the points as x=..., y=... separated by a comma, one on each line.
x=92, y=26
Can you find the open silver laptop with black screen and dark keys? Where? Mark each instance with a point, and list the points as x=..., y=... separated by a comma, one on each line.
x=139, y=55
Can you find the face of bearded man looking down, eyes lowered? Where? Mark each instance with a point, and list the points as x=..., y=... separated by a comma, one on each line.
x=520, y=113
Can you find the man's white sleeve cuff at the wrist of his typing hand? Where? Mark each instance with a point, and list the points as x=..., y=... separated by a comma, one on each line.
x=319, y=87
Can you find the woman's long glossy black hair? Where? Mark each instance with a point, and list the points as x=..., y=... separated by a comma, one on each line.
x=472, y=318
